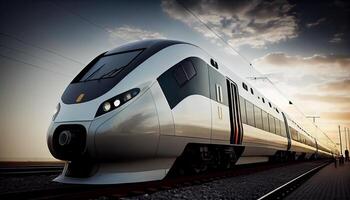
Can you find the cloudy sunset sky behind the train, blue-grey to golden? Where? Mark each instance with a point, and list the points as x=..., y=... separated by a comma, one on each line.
x=299, y=51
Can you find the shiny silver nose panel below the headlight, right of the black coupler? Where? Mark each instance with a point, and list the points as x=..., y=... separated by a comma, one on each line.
x=131, y=132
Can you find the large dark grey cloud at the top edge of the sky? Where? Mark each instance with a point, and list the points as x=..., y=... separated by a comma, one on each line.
x=253, y=23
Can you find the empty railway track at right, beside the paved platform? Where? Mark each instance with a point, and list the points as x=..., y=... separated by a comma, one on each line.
x=287, y=188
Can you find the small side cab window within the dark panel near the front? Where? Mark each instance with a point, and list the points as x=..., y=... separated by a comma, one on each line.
x=184, y=72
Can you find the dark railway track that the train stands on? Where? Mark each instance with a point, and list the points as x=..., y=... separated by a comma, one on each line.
x=126, y=190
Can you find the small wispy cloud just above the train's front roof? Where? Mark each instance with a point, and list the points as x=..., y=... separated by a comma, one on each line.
x=130, y=33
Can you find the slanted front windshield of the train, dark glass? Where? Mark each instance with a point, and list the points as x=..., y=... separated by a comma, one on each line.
x=108, y=66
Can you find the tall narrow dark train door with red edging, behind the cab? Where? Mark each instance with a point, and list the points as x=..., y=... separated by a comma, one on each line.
x=235, y=115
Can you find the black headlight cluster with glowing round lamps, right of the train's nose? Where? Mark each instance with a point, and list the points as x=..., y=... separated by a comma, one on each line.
x=116, y=101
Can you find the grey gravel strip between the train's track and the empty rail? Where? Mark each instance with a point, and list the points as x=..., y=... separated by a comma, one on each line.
x=250, y=186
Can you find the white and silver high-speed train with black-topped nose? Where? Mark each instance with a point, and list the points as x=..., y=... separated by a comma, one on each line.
x=154, y=107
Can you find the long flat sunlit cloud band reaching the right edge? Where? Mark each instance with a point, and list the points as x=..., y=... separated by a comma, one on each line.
x=280, y=60
